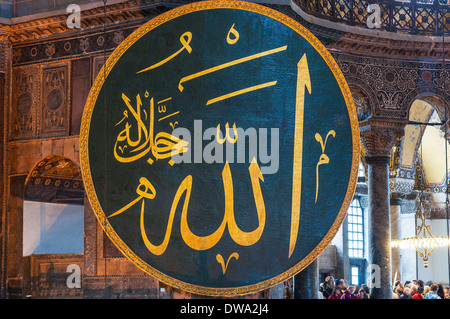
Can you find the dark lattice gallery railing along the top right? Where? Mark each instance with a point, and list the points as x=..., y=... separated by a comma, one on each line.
x=415, y=16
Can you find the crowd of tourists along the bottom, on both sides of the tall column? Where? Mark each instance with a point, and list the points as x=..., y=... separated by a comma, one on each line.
x=416, y=289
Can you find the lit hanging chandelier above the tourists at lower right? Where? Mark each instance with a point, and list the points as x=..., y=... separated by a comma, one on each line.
x=424, y=242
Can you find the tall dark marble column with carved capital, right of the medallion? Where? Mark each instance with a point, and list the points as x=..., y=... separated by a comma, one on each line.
x=378, y=139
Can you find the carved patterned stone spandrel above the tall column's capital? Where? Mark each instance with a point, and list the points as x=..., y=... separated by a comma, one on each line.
x=392, y=85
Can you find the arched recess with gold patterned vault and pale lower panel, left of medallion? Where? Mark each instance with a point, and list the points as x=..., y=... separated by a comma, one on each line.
x=53, y=208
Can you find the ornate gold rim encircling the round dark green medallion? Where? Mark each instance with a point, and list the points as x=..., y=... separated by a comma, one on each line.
x=84, y=156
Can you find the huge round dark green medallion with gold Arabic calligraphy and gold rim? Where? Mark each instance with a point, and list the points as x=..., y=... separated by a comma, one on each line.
x=220, y=147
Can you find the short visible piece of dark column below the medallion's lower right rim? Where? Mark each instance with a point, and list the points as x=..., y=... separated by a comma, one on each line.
x=306, y=283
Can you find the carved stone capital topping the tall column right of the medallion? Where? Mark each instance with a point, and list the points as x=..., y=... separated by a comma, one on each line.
x=378, y=138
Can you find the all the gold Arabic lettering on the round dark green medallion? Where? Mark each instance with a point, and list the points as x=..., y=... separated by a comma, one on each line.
x=163, y=145
